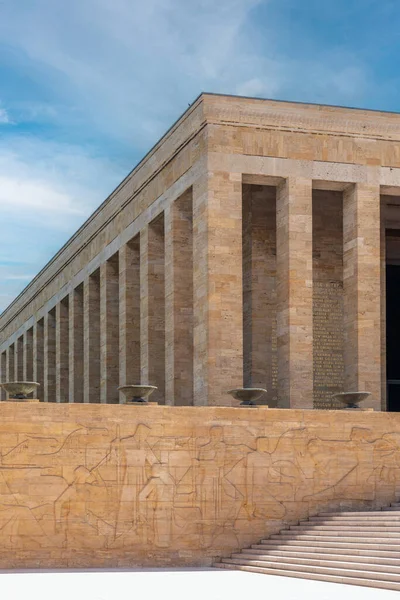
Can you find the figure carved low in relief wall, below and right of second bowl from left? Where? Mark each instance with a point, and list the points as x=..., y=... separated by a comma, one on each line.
x=158, y=494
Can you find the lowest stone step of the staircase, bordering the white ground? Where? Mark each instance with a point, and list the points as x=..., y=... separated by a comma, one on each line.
x=316, y=576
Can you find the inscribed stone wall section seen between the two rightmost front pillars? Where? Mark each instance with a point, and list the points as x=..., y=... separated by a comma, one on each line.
x=328, y=342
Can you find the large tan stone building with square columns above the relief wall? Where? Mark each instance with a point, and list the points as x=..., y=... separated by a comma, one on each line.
x=248, y=247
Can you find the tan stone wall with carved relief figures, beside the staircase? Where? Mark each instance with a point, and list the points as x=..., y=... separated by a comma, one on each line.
x=114, y=485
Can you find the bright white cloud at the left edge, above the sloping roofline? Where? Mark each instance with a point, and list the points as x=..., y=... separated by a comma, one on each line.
x=51, y=184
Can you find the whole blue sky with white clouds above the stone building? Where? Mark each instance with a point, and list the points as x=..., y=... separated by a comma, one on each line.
x=88, y=86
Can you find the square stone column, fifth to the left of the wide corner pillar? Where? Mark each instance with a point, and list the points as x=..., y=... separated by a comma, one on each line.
x=91, y=340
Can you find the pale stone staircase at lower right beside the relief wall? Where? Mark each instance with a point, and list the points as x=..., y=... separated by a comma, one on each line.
x=358, y=548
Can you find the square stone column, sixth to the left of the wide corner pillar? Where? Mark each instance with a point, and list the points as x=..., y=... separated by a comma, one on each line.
x=76, y=360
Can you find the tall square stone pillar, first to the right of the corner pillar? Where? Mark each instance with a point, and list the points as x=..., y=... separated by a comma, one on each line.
x=294, y=293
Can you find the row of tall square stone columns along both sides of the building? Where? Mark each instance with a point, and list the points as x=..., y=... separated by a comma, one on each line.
x=167, y=308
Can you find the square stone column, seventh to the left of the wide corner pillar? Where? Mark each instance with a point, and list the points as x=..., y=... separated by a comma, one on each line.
x=62, y=351
